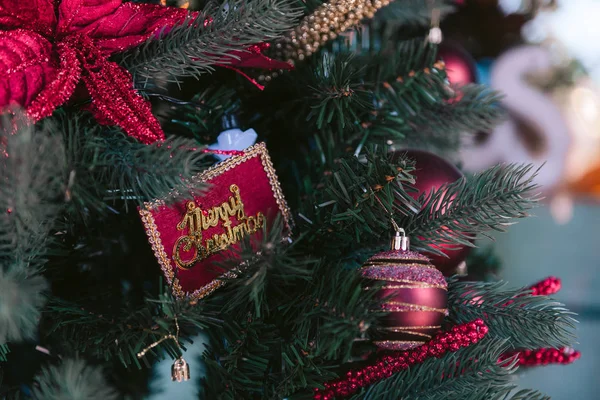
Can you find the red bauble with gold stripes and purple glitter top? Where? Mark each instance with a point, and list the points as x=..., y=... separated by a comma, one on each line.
x=415, y=295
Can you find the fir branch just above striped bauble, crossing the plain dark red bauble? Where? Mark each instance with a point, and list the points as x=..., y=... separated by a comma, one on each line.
x=360, y=197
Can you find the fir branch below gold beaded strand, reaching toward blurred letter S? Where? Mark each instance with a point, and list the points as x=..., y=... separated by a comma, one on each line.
x=401, y=95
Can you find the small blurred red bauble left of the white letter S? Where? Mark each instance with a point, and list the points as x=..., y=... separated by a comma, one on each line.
x=460, y=66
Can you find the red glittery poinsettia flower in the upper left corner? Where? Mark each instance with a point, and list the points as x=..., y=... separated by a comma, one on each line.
x=48, y=46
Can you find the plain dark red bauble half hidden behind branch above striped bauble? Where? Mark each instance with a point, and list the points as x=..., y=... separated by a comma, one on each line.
x=431, y=172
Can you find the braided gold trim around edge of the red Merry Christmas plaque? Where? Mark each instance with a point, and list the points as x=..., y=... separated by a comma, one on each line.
x=258, y=150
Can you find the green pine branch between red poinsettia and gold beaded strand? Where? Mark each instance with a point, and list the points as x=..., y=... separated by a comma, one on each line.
x=200, y=43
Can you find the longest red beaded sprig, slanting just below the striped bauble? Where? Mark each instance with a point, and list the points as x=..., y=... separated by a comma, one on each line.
x=385, y=366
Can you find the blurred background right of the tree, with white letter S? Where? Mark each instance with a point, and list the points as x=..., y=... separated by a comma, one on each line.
x=545, y=57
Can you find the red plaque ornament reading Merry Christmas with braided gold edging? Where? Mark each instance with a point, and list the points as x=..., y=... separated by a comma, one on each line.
x=191, y=238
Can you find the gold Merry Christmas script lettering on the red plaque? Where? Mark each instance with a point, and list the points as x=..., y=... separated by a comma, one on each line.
x=197, y=220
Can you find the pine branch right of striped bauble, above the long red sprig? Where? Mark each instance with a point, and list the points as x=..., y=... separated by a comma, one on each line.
x=528, y=322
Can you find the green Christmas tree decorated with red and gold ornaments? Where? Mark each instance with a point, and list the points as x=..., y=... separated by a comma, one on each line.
x=110, y=179
